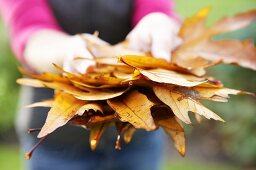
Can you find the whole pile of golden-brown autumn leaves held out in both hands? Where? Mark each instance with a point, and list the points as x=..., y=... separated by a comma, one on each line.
x=141, y=92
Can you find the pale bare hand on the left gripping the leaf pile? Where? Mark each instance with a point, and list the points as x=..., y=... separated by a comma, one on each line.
x=46, y=47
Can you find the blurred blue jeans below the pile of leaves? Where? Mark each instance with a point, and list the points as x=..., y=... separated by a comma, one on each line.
x=63, y=151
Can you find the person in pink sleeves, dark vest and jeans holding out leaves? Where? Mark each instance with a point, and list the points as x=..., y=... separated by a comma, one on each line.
x=44, y=32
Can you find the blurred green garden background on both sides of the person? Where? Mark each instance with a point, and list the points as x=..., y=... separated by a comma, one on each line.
x=210, y=145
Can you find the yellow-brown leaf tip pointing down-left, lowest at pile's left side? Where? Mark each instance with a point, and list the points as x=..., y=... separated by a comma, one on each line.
x=64, y=108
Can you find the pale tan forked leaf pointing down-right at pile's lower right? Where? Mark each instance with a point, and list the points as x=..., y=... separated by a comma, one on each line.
x=181, y=105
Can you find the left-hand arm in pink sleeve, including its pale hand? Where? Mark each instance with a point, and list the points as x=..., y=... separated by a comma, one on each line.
x=37, y=39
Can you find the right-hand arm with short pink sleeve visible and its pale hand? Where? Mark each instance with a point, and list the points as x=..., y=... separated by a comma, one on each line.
x=156, y=28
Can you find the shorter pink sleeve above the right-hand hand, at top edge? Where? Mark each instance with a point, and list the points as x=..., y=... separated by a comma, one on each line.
x=144, y=7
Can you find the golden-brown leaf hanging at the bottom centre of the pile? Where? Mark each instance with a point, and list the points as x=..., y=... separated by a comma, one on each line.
x=135, y=109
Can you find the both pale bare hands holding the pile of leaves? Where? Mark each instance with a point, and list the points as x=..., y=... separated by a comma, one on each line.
x=155, y=33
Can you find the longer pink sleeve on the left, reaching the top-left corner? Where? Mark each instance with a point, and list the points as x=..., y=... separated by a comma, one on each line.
x=23, y=18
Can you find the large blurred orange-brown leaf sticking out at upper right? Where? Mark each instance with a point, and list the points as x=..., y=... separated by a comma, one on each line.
x=199, y=44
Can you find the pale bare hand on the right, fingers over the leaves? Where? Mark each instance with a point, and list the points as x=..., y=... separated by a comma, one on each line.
x=155, y=33
